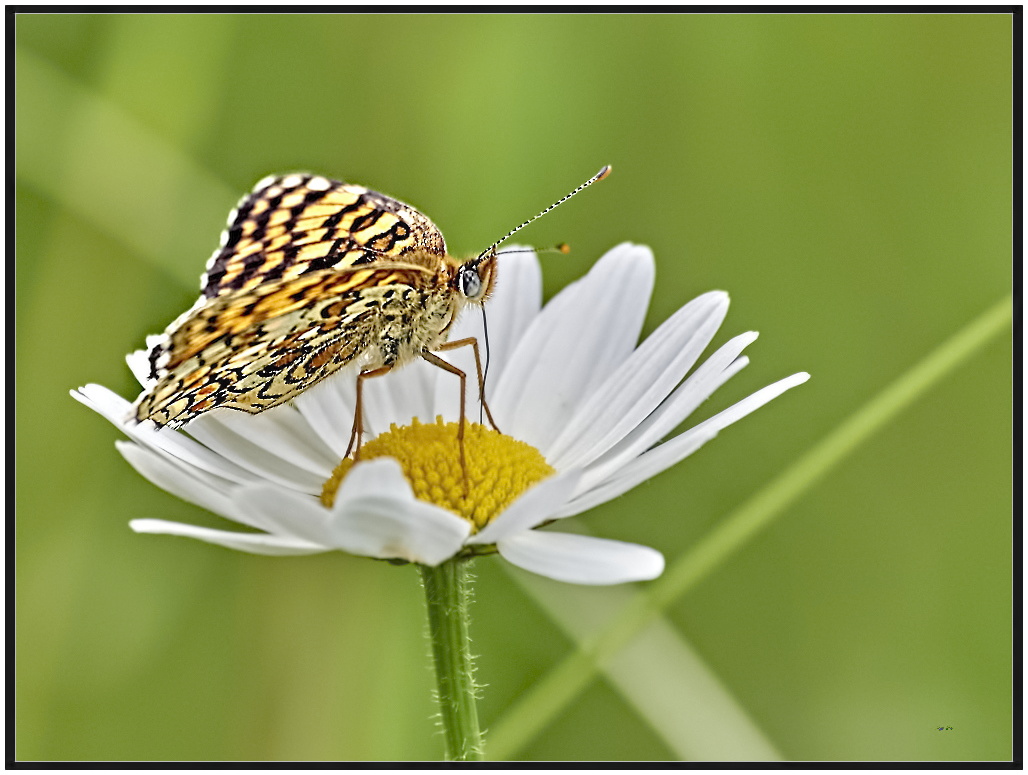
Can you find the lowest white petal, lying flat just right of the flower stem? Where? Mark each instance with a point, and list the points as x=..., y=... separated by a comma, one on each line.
x=581, y=560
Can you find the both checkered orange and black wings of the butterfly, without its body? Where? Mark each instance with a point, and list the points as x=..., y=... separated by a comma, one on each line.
x=286, y=300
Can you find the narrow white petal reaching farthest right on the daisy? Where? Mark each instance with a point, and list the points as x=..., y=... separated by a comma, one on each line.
x=669, y=454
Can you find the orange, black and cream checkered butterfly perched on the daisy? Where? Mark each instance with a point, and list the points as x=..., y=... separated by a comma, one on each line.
x=313, y=276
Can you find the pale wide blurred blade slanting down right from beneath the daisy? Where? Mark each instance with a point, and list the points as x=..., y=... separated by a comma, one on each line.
x=658, y=674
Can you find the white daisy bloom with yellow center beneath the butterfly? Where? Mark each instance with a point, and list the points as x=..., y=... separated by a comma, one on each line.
x=583, y=412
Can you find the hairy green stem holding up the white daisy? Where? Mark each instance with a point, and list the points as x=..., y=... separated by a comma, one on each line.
x=448, y=595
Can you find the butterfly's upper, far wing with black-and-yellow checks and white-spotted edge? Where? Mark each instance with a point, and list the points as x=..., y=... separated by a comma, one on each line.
x=295, y=225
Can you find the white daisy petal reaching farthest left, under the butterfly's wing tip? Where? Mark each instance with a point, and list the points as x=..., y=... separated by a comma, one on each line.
x=165, y=441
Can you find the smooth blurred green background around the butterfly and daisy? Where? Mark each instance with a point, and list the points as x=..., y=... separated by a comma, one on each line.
x=847, y=178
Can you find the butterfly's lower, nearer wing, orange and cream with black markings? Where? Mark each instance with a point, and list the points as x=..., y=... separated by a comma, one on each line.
x=256, y=349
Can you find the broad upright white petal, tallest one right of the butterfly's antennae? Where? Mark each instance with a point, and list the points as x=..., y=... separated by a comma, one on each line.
x=574, y=344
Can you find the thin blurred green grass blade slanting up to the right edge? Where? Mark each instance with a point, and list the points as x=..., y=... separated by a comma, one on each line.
x=561, y=686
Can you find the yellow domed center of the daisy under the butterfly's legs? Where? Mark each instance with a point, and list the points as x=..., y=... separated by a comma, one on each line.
x=498, y=468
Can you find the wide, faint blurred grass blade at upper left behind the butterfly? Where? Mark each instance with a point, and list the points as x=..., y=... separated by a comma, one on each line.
x=85, y=153
